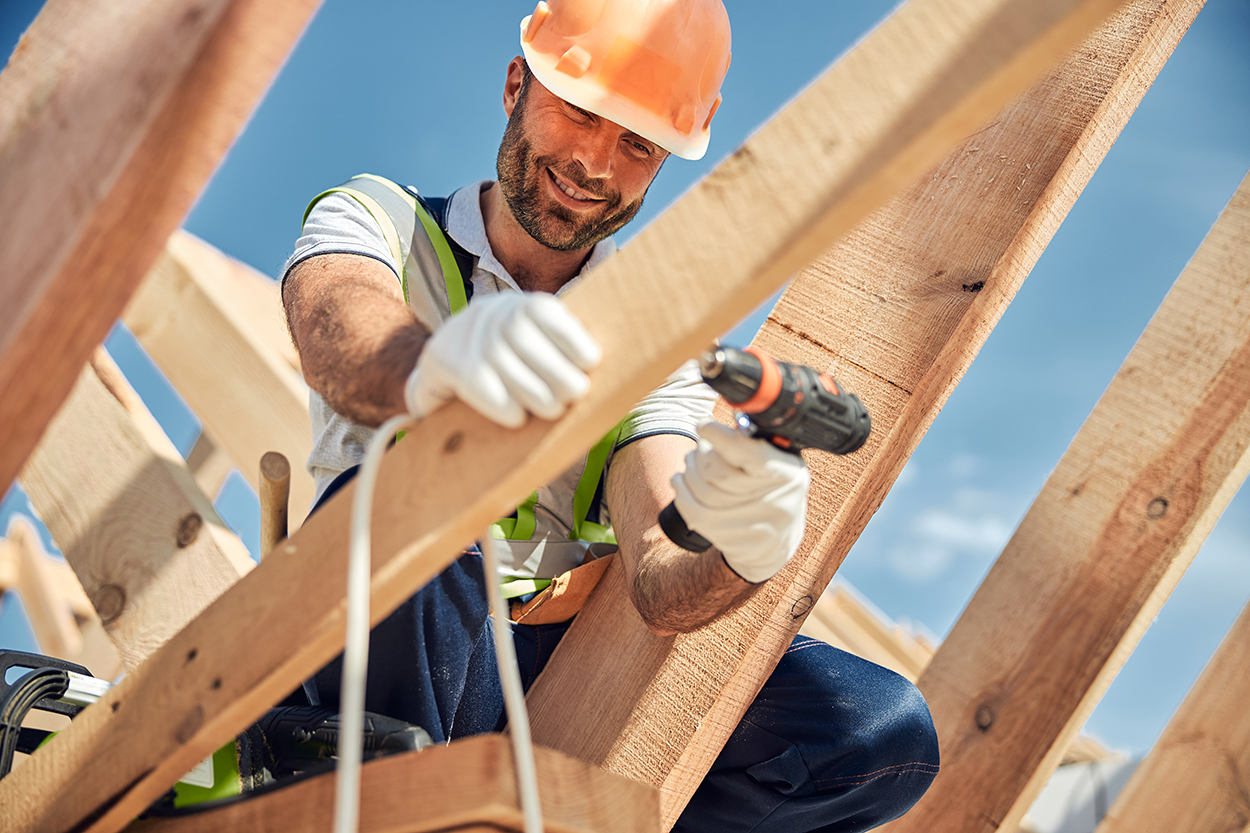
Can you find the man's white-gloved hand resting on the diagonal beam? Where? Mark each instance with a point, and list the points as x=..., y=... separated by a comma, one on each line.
x=504, y=356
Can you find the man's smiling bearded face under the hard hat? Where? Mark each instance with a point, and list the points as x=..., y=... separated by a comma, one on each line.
x=569, y=177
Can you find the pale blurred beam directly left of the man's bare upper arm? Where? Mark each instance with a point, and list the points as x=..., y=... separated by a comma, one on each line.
x=199, y=303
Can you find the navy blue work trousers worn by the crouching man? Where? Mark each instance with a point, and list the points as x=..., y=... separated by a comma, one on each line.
x=833, y=744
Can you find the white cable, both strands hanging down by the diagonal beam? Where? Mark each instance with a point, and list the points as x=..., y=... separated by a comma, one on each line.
x=356, y=656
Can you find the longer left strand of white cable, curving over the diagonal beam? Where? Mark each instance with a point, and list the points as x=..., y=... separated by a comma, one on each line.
x=356, y=654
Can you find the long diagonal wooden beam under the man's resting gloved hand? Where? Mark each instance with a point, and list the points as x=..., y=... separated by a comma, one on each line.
x=887, y=113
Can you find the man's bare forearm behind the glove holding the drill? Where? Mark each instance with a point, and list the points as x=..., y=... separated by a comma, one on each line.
x=676, y=591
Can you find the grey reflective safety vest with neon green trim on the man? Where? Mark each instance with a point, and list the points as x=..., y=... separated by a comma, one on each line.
x=423, y=250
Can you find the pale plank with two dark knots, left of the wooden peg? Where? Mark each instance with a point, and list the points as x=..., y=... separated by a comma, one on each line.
x=118, y=500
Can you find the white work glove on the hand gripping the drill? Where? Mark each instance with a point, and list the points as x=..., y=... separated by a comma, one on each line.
x=746, y=496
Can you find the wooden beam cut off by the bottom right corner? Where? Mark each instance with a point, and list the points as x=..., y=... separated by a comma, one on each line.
x=1198, y=776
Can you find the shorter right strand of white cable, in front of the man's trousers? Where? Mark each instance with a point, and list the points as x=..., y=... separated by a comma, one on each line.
x=514, y=695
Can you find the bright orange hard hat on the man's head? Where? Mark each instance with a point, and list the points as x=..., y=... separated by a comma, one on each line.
x=654, y=67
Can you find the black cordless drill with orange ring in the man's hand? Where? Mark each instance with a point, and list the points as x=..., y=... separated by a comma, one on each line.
x=791, y=406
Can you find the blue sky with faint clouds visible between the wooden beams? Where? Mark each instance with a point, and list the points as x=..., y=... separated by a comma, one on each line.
x=412, y=89
